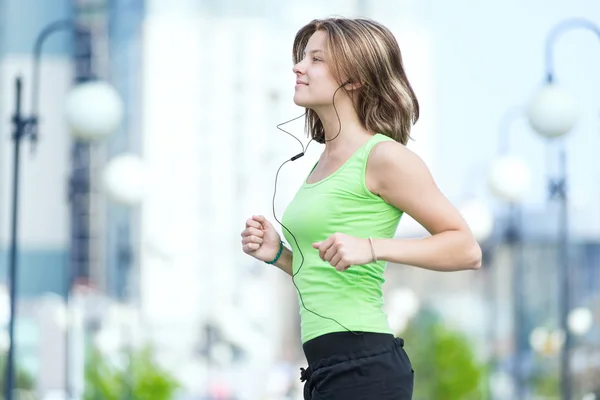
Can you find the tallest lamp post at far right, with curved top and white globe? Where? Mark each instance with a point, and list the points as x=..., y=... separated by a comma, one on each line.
x=552, y=113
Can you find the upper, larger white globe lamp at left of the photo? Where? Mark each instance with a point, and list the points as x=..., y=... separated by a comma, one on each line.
x=93, y=111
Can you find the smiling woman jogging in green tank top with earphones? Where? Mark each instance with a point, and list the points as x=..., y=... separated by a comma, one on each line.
x=342, y=221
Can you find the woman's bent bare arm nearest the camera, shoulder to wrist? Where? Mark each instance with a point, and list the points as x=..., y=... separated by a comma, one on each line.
x=401, y=178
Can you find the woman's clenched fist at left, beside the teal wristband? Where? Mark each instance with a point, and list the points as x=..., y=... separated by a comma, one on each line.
x=260, y=239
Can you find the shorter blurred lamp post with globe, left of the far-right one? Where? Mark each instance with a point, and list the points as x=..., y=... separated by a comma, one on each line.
x=509, y=179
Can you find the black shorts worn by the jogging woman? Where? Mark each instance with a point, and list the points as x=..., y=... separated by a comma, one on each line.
x=379, y=370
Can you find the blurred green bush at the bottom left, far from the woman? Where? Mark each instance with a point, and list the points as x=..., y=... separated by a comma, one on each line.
x=140, y=378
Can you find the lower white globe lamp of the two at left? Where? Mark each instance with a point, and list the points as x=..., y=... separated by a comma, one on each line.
x=124, y=179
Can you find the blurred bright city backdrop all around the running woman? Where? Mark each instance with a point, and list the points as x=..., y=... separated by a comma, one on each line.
x=138, y=135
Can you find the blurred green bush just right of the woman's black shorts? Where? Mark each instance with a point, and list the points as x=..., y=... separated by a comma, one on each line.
x=444, y=361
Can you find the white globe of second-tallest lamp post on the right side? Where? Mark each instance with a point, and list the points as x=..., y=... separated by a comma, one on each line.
x=509, y=179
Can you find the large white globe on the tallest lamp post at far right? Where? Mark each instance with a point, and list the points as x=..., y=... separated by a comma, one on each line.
x=552, y=112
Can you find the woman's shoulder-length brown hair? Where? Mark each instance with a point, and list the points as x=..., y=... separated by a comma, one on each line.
x=366, y=52
